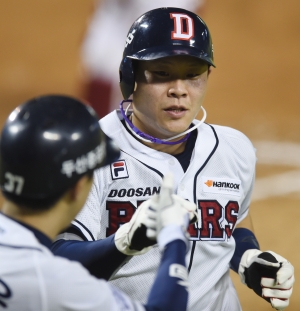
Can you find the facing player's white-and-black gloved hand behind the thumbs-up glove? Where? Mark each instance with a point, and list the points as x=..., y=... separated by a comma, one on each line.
x=131, y=238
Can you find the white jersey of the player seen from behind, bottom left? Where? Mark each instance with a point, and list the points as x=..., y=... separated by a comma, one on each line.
x=32, y=278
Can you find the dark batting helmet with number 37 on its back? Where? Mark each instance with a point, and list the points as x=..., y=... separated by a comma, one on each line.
x=47, y=144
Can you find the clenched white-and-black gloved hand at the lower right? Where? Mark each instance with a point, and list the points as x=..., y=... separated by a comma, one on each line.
x=269, y=275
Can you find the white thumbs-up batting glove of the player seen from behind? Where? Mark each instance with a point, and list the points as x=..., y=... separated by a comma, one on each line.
x=167, y=210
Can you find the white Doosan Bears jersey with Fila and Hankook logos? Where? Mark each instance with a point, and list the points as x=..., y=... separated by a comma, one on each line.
x=219, y=179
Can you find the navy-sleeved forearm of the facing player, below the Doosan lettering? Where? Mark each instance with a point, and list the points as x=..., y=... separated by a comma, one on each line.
x=101, y=257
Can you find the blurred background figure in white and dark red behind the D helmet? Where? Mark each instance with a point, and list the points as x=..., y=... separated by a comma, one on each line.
x=111, y=19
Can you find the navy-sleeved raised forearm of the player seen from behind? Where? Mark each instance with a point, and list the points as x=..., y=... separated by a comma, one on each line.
x=169, y=291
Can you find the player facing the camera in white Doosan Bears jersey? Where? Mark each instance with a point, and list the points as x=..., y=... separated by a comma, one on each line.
x=166, y=65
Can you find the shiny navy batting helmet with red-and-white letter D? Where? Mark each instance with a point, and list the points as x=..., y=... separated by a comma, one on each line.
x=160, y=33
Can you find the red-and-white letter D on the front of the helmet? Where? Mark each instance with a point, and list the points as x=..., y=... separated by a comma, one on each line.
x=183, y=27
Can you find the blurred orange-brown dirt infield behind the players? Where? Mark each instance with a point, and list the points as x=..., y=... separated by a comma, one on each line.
x=255, y=89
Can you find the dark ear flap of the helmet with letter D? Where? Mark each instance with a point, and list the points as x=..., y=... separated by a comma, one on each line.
x=126, y=73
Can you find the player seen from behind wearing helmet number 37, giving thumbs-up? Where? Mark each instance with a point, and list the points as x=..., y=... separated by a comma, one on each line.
x=50, y=147
